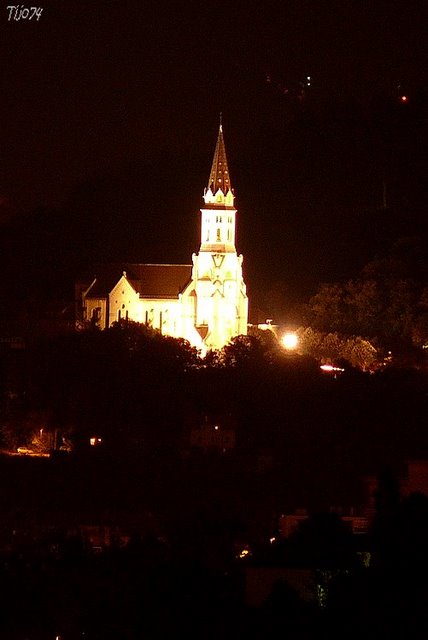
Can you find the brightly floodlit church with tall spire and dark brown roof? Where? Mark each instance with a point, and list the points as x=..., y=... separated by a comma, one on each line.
x=204, y=302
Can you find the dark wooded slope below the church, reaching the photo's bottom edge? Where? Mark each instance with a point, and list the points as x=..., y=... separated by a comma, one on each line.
x=304, y=438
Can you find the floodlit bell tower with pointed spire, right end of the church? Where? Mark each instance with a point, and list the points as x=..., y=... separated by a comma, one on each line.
x=221, y=303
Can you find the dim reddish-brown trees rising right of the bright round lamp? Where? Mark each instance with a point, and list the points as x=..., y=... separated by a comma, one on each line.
x=388, y=301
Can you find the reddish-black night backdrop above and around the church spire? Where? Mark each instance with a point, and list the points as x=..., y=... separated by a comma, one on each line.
x=109, y=115
